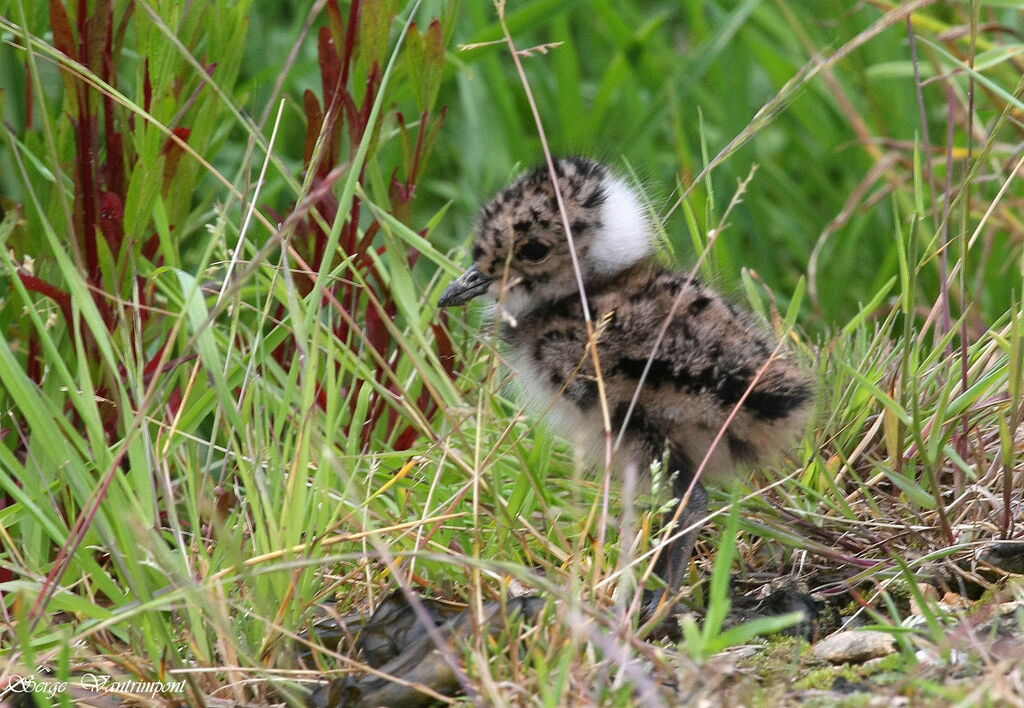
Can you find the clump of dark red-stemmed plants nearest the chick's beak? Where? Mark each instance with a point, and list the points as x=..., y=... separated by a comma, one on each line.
x=364, y=298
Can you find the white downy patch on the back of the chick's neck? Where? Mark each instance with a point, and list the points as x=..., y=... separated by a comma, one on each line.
x=625, y=236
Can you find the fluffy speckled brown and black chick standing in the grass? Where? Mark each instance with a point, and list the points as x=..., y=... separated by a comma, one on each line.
x=705, y=365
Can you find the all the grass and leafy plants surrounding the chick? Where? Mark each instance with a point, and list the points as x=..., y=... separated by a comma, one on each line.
x=229, y=399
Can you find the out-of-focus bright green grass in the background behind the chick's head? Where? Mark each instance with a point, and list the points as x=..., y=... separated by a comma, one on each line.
x=659, y=89
